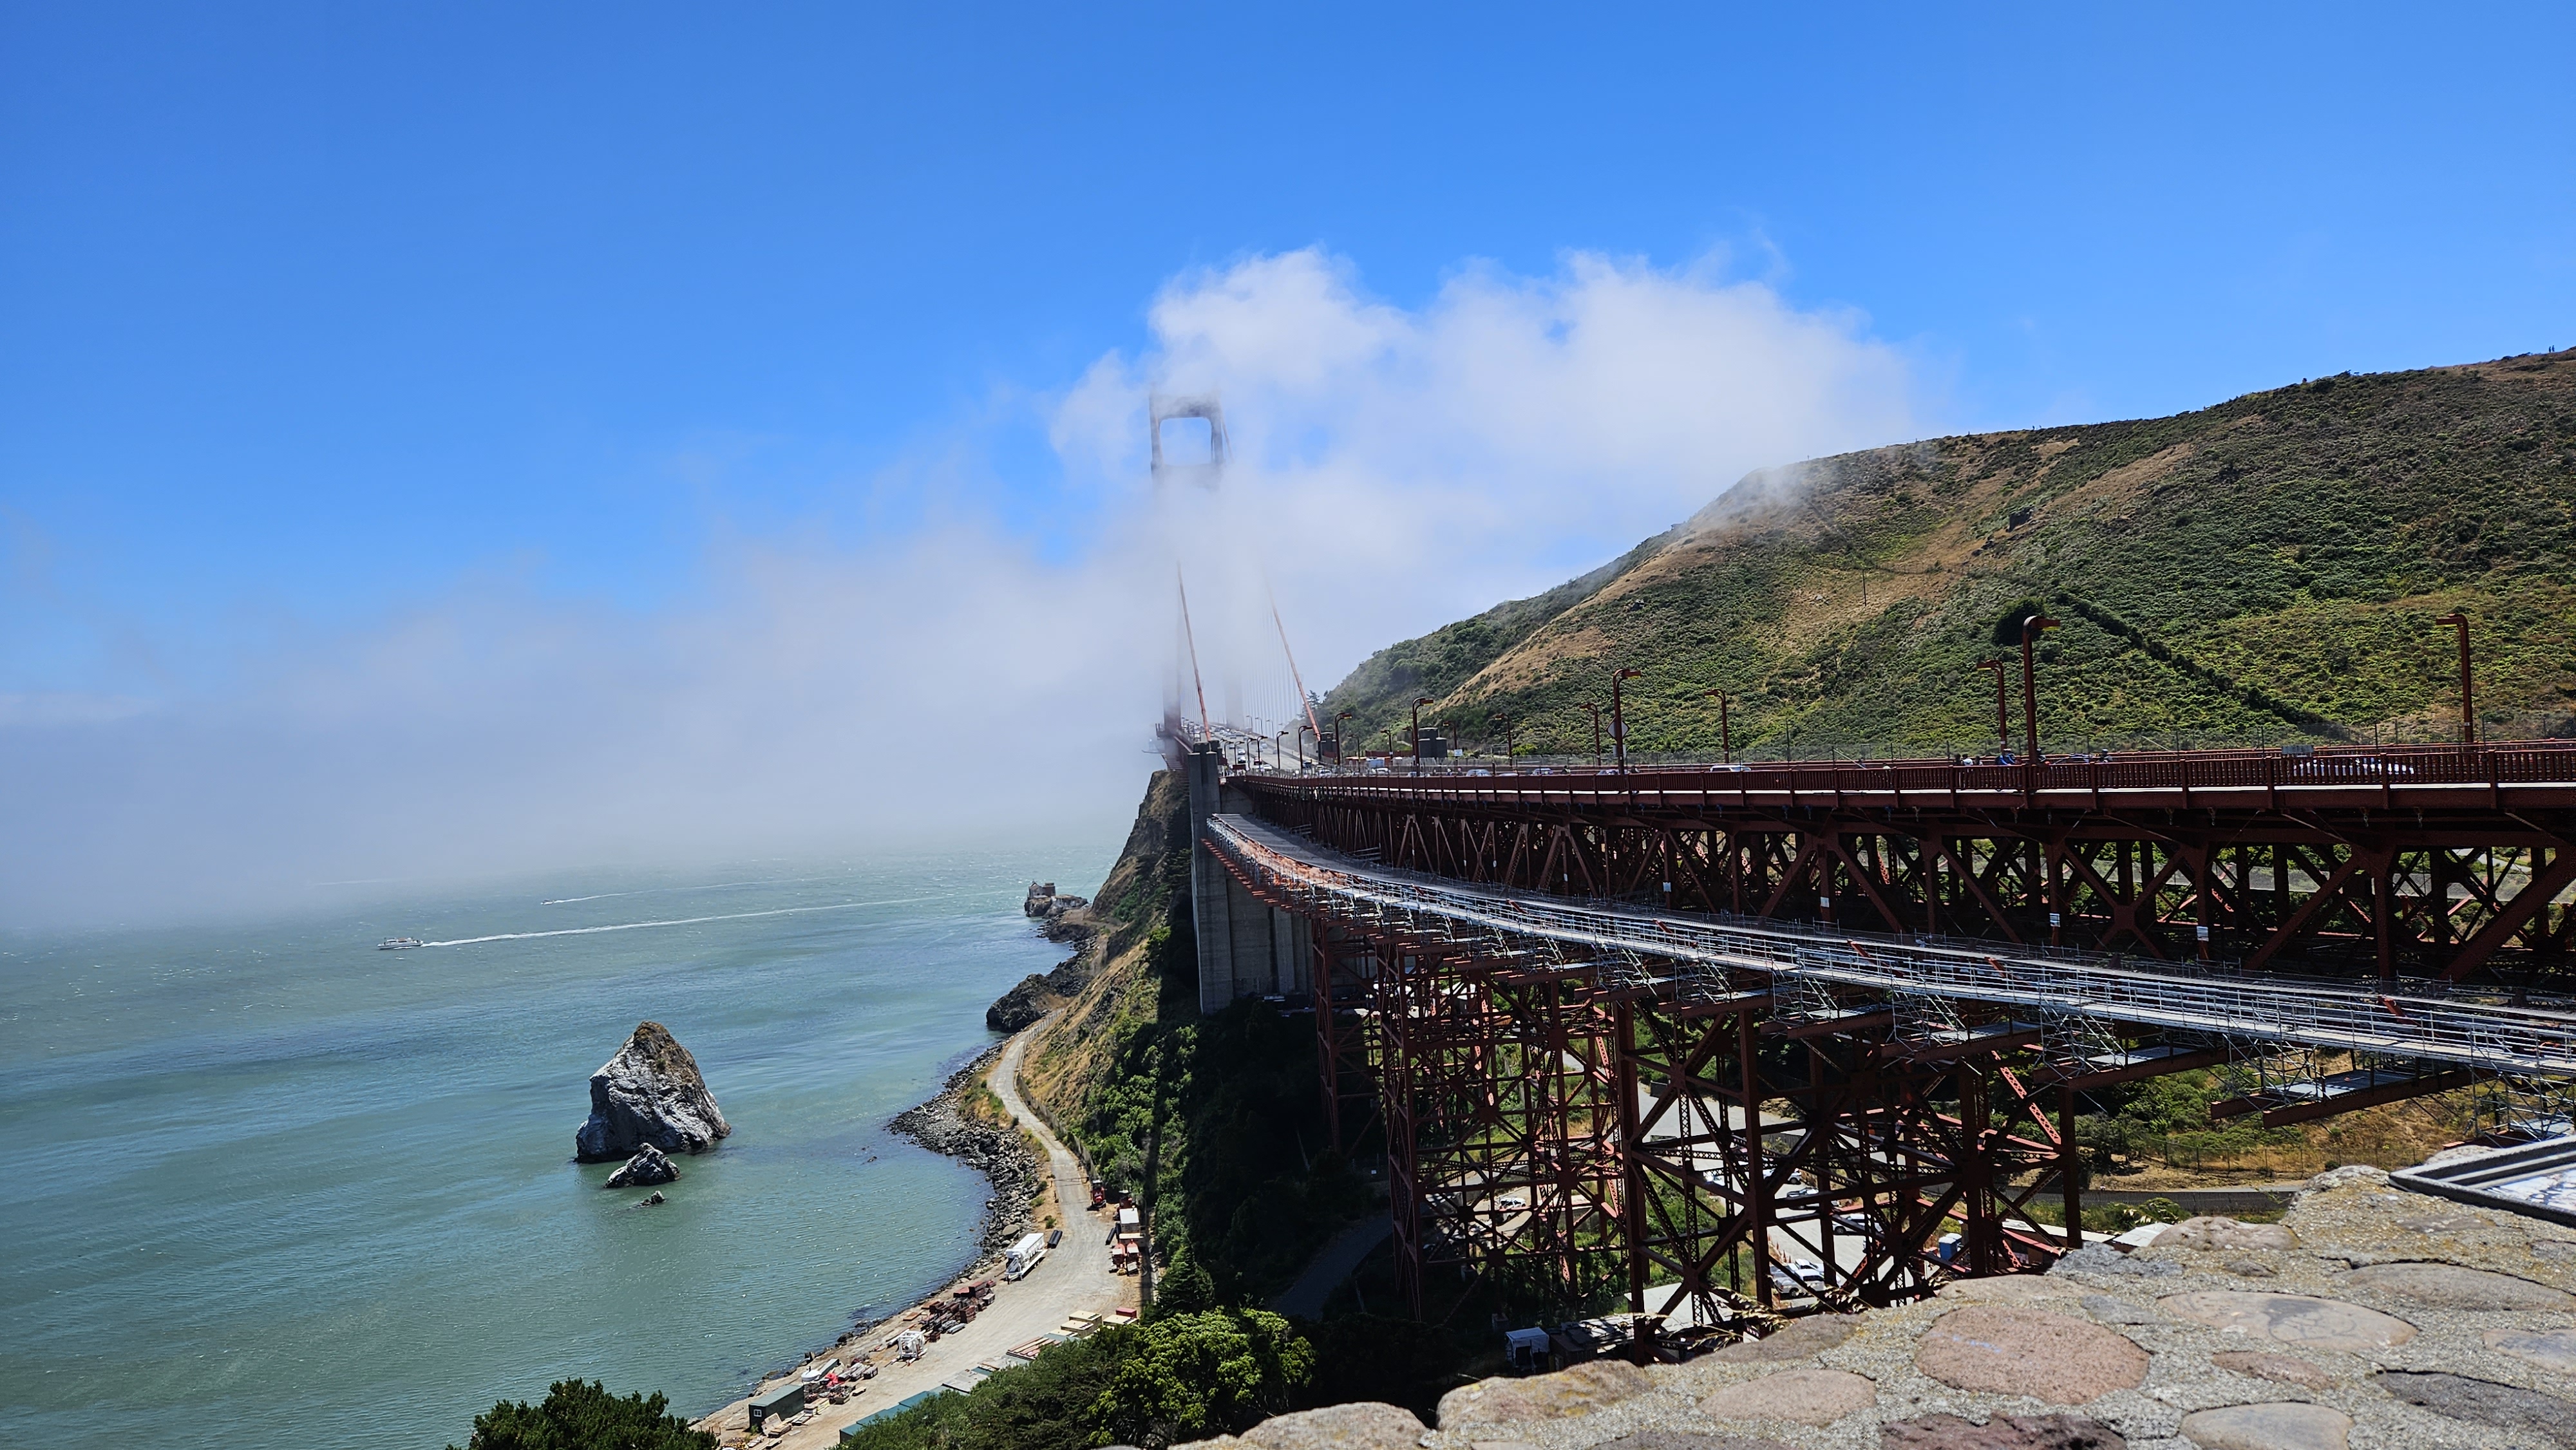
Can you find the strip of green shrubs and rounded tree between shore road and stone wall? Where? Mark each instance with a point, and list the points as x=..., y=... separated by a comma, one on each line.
x=1176, y=1377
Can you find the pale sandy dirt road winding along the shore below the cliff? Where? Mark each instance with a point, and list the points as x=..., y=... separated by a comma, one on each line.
x=1070, y=1292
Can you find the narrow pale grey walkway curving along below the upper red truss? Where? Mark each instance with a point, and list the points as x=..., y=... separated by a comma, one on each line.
x=2271, y=1008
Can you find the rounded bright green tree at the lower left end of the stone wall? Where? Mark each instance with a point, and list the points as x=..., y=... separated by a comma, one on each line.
x=1191, y=1377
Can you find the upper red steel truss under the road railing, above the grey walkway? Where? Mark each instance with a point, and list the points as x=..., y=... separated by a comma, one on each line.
x=2423, y=862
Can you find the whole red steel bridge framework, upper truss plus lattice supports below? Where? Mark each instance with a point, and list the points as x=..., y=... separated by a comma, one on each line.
x=1578, y=1109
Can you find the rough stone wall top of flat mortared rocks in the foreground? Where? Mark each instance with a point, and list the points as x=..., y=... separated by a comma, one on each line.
x=2369, y=1320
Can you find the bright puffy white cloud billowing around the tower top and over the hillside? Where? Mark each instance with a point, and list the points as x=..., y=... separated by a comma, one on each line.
x=1397, y=470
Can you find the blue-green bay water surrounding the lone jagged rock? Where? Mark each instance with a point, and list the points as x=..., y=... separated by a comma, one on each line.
x=272, y=1186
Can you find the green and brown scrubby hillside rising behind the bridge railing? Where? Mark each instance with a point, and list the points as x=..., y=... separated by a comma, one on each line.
x=2253, y=573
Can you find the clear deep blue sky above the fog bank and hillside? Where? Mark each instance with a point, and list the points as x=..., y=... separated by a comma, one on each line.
x=323, y=318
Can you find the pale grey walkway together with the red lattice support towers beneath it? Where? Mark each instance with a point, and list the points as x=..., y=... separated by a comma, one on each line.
x=1719, y=1114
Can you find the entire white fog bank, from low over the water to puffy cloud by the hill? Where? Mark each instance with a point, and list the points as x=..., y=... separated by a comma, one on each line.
x=957, y=681
